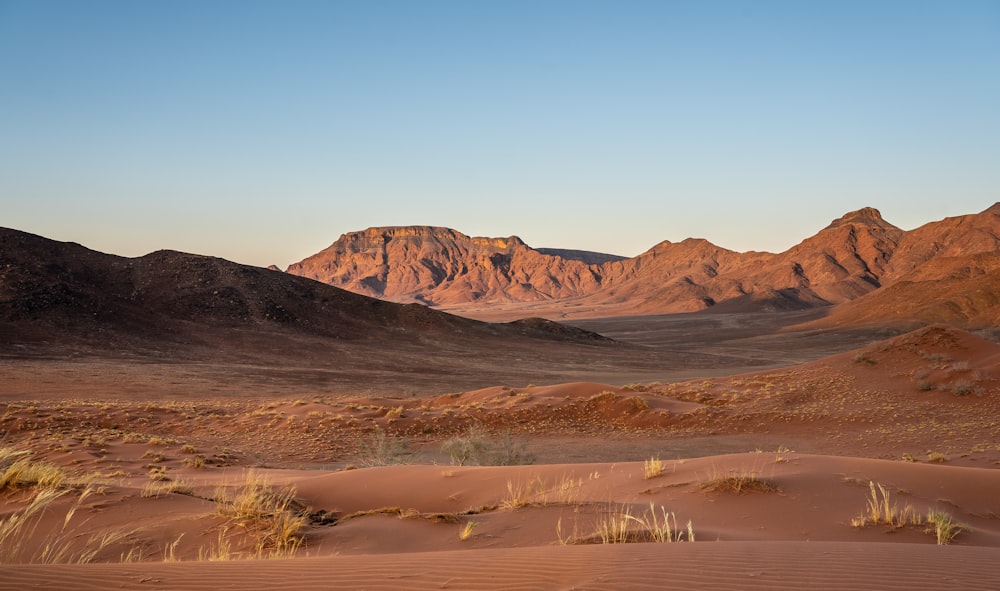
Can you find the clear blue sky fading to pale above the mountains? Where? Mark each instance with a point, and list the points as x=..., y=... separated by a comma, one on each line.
x=261, y=131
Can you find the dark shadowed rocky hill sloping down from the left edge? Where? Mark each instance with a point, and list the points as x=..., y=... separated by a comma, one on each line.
x=58, y=297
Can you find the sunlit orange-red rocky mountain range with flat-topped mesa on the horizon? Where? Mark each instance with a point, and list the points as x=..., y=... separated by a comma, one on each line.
x=857, y=254
